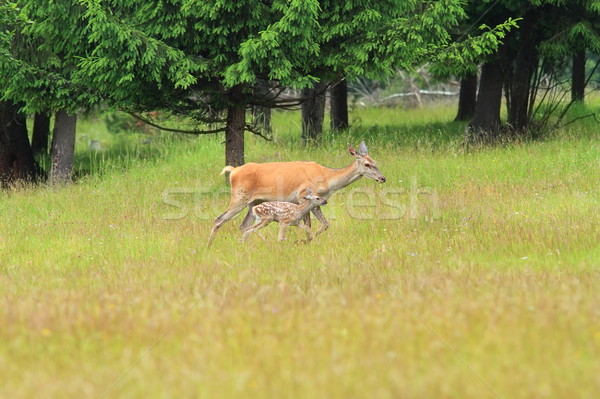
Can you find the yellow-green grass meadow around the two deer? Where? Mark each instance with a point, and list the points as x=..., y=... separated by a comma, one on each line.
x=469, y=274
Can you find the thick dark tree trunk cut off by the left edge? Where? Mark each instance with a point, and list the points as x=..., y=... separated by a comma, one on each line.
x=16, y=157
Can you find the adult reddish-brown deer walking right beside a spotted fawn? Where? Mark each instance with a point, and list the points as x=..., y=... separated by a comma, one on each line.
x=254, y=183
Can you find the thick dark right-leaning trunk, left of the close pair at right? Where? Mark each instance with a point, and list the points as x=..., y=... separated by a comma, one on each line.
x=485, y=125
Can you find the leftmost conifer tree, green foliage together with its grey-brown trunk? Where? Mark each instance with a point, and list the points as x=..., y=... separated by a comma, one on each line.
x=38, y=69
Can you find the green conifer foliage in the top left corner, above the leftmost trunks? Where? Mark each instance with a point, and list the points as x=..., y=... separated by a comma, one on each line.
x=42, y=63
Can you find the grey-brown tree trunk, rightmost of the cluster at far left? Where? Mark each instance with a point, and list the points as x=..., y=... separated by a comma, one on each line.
x=63, y=147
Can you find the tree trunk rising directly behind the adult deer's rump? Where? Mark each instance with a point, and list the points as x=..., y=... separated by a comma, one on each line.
x=236, y=123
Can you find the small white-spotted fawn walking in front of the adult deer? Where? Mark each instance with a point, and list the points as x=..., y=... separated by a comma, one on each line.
x=285, y=213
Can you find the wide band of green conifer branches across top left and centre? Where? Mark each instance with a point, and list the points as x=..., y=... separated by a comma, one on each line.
x=184, y=55
